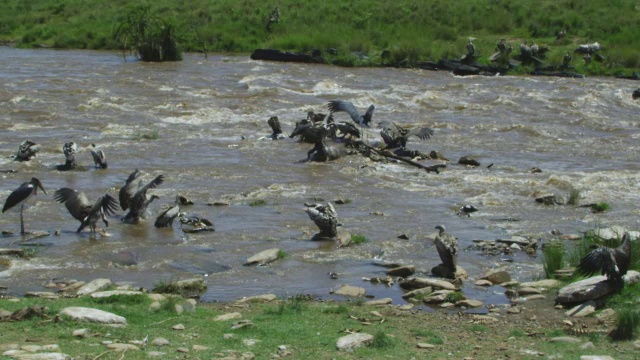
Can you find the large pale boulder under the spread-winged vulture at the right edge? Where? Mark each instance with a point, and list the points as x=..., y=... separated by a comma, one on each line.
x=592, y=288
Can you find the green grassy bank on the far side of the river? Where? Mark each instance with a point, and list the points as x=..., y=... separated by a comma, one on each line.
x=411, y=30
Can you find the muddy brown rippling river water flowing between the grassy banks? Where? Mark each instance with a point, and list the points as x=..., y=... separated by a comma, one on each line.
x=209, y=116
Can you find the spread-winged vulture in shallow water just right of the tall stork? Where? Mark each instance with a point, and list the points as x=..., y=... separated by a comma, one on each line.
x=83, y=210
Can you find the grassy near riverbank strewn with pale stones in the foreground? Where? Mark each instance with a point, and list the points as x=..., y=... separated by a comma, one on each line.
x=306, y=329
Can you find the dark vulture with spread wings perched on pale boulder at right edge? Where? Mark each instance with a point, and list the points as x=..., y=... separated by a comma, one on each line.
x=612, y=262
